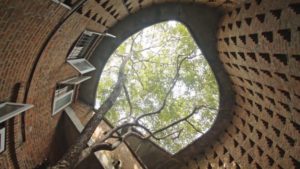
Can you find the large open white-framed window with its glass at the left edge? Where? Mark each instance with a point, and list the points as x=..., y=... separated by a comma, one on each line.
x=9, y=110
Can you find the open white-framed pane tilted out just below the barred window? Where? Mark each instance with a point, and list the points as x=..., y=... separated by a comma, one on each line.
x=81, y=65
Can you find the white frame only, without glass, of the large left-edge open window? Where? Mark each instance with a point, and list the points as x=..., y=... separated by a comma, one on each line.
x=24, y=108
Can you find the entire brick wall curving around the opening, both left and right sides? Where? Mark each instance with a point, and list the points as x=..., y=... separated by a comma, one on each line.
x=258, y=45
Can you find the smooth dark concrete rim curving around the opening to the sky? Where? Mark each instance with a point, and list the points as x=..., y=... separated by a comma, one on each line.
x=202, y=22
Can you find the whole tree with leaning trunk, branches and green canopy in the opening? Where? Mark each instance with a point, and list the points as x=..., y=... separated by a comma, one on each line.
x=162, y=96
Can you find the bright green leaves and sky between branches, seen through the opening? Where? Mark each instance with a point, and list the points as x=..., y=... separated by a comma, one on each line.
x=155, y=52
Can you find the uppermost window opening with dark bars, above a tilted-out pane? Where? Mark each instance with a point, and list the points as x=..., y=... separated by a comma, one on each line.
x=83, y=44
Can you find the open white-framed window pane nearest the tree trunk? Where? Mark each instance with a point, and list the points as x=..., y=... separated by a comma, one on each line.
x=62, y=99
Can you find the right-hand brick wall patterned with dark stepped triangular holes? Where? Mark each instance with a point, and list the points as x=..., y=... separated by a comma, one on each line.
x=259, y=46
